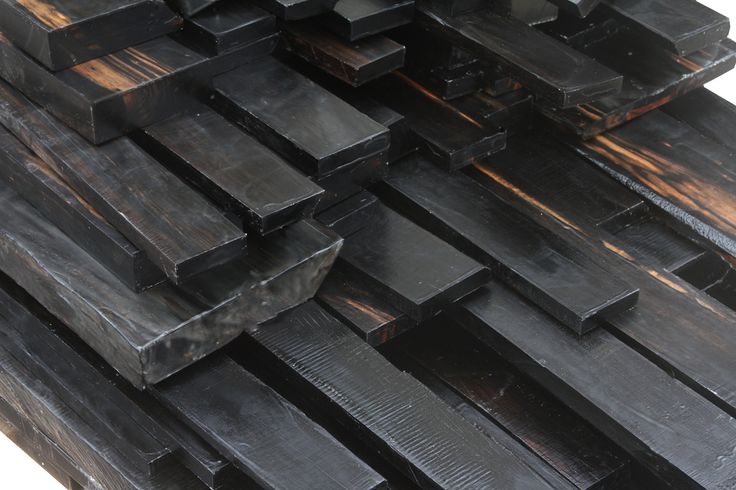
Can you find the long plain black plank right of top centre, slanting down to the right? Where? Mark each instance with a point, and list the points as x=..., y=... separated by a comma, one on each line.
x=543, y=65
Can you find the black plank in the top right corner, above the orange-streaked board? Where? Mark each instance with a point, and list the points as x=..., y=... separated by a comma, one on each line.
x=682, y=26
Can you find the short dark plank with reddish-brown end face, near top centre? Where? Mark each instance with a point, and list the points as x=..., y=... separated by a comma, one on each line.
x=352, y=62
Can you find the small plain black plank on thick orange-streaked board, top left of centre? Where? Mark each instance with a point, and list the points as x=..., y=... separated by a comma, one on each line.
x=227, y=25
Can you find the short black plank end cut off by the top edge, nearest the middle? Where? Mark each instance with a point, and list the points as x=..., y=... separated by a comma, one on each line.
x=356, y=19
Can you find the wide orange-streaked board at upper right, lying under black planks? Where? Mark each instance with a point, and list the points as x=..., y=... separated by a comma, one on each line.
x=653, y=76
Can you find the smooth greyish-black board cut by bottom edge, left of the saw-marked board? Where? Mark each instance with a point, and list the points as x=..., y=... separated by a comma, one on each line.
x=264, y=435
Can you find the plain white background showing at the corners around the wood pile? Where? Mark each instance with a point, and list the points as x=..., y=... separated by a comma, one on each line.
x=18, y=471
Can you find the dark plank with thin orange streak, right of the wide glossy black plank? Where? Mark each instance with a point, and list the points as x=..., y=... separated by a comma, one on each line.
x=445, y=133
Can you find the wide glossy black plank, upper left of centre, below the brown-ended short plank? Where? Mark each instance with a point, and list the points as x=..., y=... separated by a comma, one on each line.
x=292, y=115
